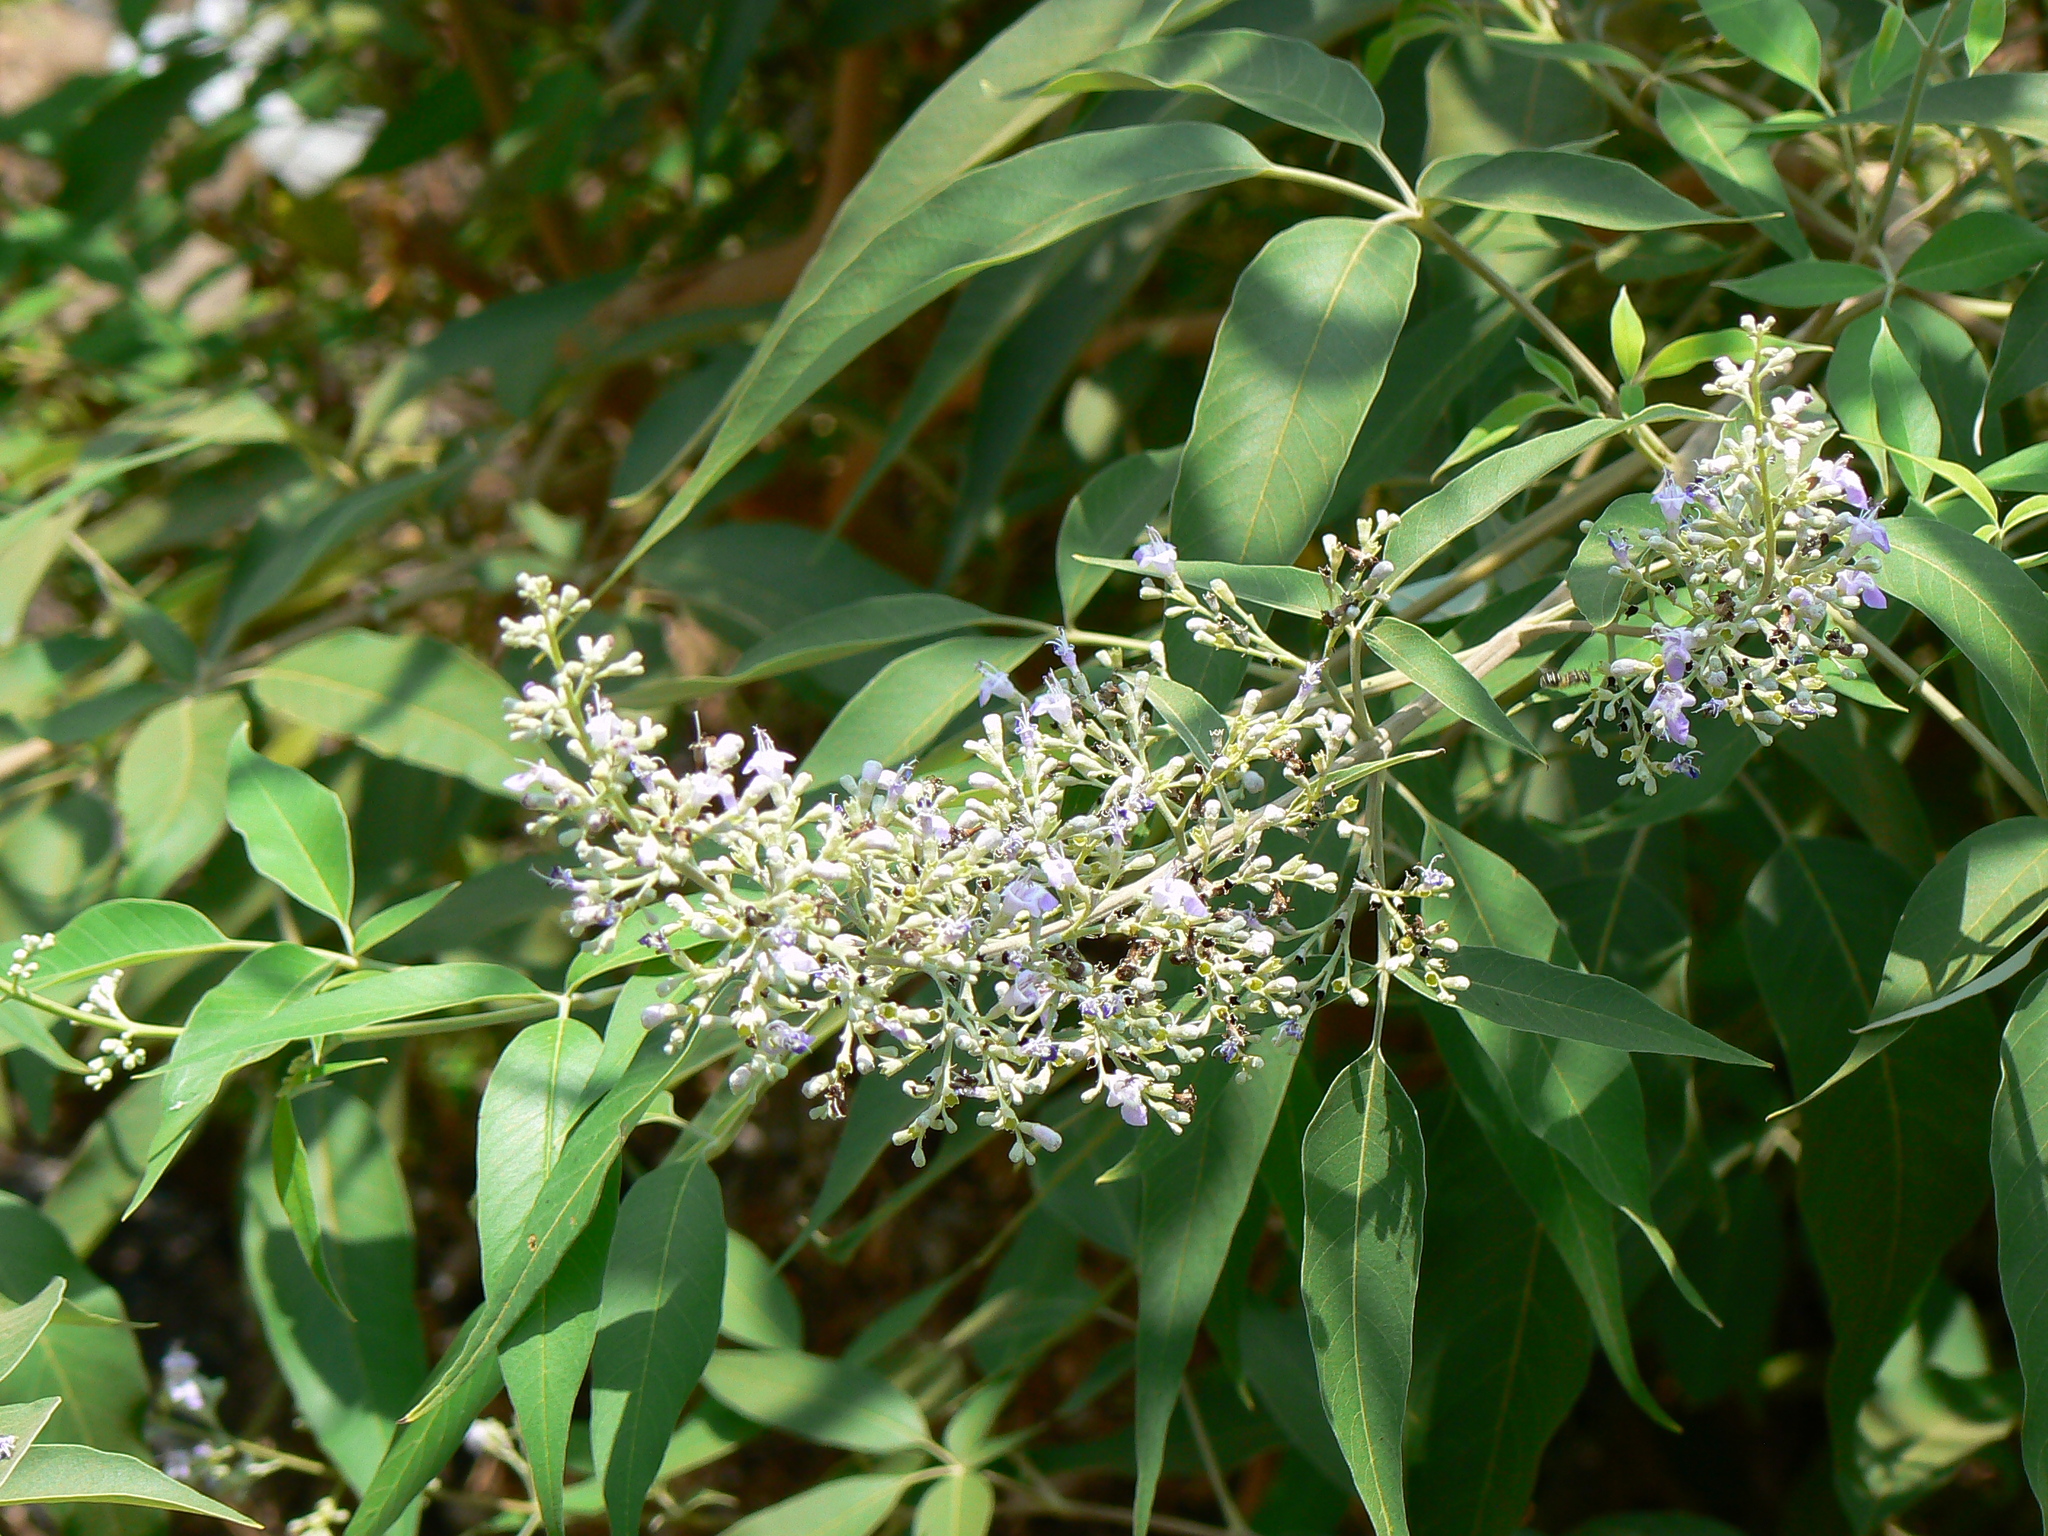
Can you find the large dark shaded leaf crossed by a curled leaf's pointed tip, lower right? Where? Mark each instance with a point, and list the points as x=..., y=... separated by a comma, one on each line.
x=1891, y=1164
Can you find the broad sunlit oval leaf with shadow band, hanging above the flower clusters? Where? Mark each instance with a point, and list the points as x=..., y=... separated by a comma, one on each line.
x=1289, y=384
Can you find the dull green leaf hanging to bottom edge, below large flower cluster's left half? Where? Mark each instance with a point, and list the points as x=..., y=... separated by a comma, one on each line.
x=656, y=1326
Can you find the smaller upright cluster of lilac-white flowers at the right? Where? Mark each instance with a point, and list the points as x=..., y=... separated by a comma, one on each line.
x=1744, y=583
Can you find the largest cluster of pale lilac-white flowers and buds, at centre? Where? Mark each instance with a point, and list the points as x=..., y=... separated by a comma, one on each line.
x=1097, y=898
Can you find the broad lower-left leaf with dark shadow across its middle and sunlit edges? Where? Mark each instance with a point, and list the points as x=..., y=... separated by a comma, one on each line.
x=347, y=1345
